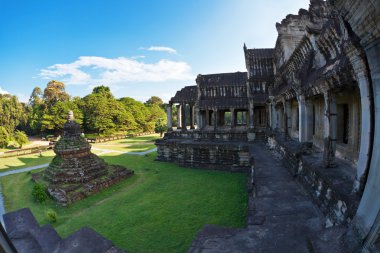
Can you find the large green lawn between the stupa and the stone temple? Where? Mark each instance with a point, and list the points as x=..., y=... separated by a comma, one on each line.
x=159, y=209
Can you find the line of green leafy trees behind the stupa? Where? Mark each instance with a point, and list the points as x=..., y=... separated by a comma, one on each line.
x=99, y=112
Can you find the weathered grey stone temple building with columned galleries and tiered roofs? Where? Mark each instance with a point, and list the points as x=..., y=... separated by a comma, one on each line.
x=314, y=101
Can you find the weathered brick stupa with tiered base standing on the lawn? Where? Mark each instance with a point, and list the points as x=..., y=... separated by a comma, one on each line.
x=75, y=172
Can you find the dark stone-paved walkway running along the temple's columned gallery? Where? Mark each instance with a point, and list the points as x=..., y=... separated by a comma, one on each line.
x=281, y=216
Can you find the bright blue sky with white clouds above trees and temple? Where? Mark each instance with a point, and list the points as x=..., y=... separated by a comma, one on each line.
x=138, y=48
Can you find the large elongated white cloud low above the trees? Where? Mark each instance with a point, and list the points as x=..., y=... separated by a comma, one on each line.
x=101, y=70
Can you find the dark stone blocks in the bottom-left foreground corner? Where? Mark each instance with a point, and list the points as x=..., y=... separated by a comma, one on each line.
x=27, y=236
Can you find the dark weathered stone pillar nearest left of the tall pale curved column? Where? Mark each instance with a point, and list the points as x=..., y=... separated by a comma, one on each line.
x=330, y=129
